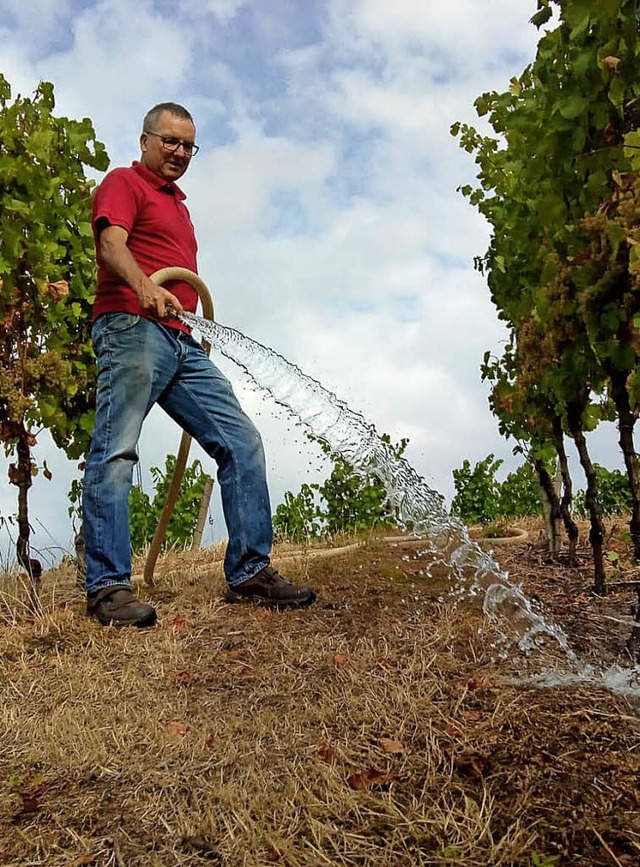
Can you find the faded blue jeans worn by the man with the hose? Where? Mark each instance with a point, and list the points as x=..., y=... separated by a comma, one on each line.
x=142, y=362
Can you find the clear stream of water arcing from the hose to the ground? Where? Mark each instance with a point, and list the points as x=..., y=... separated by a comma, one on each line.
x=417, y=508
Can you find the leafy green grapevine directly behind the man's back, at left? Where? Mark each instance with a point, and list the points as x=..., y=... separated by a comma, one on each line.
x=46, y=283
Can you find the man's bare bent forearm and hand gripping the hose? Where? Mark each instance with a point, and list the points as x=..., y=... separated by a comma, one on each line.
x=120, y=261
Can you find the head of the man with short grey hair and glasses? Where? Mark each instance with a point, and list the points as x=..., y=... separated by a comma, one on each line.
x=168, y=140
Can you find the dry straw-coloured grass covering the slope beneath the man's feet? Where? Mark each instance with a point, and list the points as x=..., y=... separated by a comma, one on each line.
x=376, y=728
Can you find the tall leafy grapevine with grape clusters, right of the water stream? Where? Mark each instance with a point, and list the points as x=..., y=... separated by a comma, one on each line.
x=560, y=188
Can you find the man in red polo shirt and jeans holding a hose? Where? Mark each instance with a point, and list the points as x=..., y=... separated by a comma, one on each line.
x=144, y=356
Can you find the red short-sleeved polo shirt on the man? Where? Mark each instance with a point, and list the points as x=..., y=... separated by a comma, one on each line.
x=160, y=234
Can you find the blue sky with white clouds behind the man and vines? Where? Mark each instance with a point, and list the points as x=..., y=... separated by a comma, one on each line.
x=324, y=198
